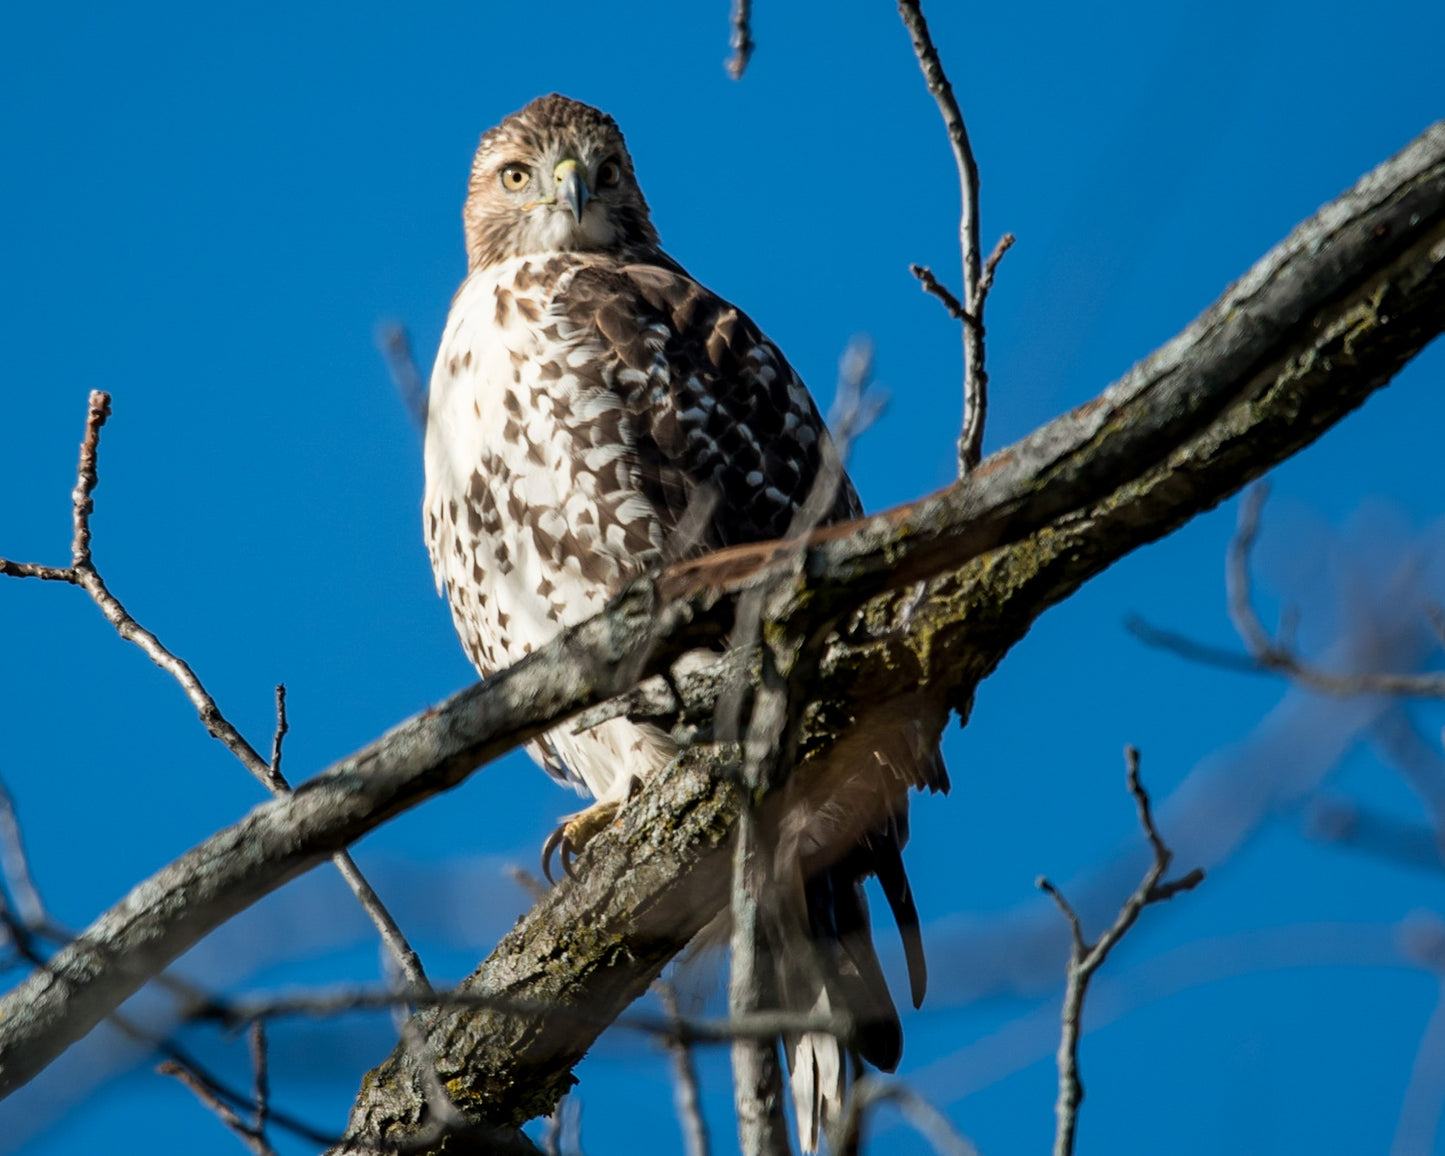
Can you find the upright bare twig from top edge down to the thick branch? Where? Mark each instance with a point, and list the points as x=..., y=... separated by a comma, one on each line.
x=978, y=280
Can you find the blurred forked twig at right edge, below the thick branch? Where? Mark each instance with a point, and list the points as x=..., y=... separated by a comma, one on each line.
x=1275, y=655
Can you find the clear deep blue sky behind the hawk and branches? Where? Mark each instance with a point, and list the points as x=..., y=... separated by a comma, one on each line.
x=207, y=212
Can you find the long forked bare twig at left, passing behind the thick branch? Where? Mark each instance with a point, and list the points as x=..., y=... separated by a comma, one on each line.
x=85, y=574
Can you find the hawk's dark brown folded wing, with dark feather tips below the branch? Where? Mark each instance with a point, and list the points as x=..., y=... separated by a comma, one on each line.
x=709, y=402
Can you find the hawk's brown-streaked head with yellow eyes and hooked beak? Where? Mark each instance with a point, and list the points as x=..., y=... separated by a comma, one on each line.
x=554, y=178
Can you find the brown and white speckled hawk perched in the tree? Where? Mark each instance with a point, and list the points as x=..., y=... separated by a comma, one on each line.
x=587, y=395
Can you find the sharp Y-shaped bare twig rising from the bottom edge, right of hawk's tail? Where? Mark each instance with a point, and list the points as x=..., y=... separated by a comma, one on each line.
x=1086, y=959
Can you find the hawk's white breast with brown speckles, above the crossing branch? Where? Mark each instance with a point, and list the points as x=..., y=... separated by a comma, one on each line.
x=531, y=515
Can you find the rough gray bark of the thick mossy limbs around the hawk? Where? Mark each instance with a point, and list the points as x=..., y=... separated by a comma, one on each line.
x=933, y=596
